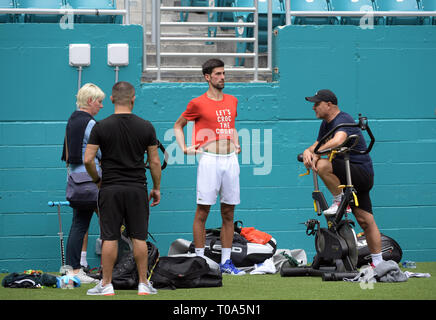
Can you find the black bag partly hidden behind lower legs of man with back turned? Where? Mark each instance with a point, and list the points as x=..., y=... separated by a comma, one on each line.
x=125, y=273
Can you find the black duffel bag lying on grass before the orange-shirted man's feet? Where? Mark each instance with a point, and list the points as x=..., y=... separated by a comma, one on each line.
x=184, y=272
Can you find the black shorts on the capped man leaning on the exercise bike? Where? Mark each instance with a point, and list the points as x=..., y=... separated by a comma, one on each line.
x=361, y=179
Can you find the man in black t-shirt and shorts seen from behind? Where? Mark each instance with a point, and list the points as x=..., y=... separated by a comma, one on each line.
x=123, y=138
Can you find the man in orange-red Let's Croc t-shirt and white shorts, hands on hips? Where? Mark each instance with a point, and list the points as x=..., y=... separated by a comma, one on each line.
x=216, y=139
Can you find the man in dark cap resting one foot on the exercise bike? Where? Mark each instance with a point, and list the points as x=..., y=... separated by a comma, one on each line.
x=333, y=173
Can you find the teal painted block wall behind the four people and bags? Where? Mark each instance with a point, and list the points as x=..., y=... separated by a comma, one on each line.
x=386, y=73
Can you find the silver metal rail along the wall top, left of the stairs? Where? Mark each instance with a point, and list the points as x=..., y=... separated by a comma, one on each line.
x=70, y=11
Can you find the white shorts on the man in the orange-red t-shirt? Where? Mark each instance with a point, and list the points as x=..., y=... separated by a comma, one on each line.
x=218, y=174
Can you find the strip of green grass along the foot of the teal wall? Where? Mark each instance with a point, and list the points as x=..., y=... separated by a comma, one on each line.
x=257, y=287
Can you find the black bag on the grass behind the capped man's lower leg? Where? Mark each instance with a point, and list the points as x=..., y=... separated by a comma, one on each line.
x=391, y=250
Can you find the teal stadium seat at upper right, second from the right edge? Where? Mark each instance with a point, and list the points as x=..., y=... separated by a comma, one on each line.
x=399, y=5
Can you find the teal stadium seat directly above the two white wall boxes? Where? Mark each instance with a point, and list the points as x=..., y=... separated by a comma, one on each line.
x=95, y=4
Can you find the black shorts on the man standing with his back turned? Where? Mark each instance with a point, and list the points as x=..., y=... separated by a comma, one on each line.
x=120, y=204
